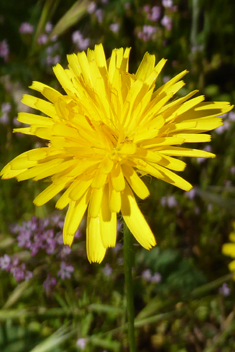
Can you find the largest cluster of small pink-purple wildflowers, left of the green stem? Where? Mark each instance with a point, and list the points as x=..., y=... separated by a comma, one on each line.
x=40, y=236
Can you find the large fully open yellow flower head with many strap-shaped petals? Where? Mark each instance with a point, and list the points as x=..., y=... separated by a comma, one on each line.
x=108, y=130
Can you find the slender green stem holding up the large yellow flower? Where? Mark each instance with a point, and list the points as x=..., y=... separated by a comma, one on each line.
x=128, y=259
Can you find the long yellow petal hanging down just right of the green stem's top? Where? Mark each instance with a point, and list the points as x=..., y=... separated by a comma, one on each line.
x=135, y=220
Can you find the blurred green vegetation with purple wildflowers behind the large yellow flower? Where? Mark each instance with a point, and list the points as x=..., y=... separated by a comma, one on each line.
x=51, y=298
